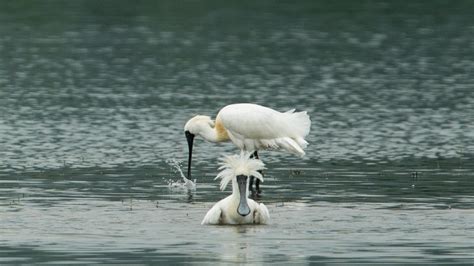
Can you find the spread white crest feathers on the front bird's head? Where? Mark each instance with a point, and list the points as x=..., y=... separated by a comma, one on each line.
x=234, y=165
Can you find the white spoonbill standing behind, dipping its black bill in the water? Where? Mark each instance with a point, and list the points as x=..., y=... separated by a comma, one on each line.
x=251, y=127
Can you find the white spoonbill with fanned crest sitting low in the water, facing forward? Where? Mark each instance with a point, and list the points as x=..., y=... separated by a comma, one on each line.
x=238, y=208
